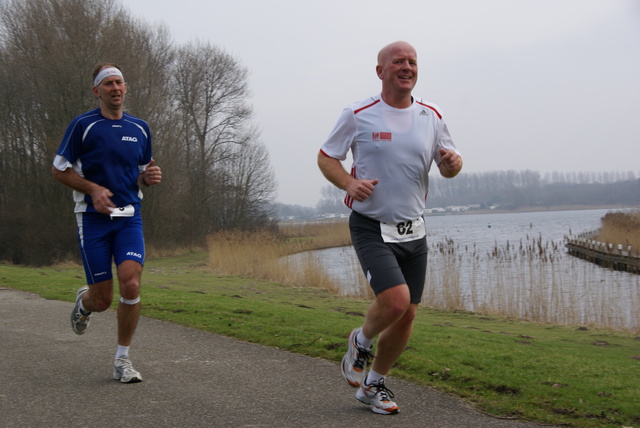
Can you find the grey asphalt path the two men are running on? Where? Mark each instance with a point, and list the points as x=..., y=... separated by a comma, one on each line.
x=51, y=377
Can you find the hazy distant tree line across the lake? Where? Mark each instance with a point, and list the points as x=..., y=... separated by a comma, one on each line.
x=505, y=190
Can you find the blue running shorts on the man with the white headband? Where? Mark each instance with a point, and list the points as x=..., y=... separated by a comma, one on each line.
x=104, y=239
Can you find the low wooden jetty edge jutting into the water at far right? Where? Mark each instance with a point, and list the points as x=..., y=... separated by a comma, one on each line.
x=603, y=254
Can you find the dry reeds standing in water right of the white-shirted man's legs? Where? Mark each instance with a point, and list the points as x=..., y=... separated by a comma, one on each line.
x=534, y=280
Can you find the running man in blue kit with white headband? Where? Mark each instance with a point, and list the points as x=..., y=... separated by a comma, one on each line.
x=105, y=157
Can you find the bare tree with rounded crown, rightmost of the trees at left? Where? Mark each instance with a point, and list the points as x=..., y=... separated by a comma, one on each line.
x=217, y=137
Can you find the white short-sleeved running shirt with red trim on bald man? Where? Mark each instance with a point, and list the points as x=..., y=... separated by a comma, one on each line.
x=396, y=146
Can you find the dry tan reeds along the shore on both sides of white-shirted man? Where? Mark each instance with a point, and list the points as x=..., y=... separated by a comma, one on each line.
x=533, y=279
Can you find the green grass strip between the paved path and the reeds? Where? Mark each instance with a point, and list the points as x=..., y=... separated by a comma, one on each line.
x=547, y=373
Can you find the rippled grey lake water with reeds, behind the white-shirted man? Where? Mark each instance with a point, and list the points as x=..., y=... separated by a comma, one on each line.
x=512, y=264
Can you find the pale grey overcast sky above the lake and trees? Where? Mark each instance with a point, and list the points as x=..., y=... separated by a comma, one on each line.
x=542, y=85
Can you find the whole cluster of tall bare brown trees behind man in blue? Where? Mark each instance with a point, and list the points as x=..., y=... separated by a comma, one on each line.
x=217, y=173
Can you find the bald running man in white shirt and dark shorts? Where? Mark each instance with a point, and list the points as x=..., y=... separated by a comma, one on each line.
x=394, y=138
